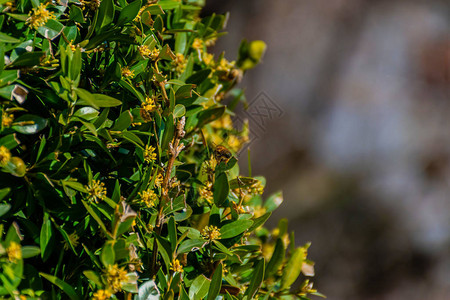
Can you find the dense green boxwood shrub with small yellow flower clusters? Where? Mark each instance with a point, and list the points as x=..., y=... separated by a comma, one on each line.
x=117, y=155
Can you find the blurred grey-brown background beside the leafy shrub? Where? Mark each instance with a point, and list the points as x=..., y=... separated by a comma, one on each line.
x=351, y=110
